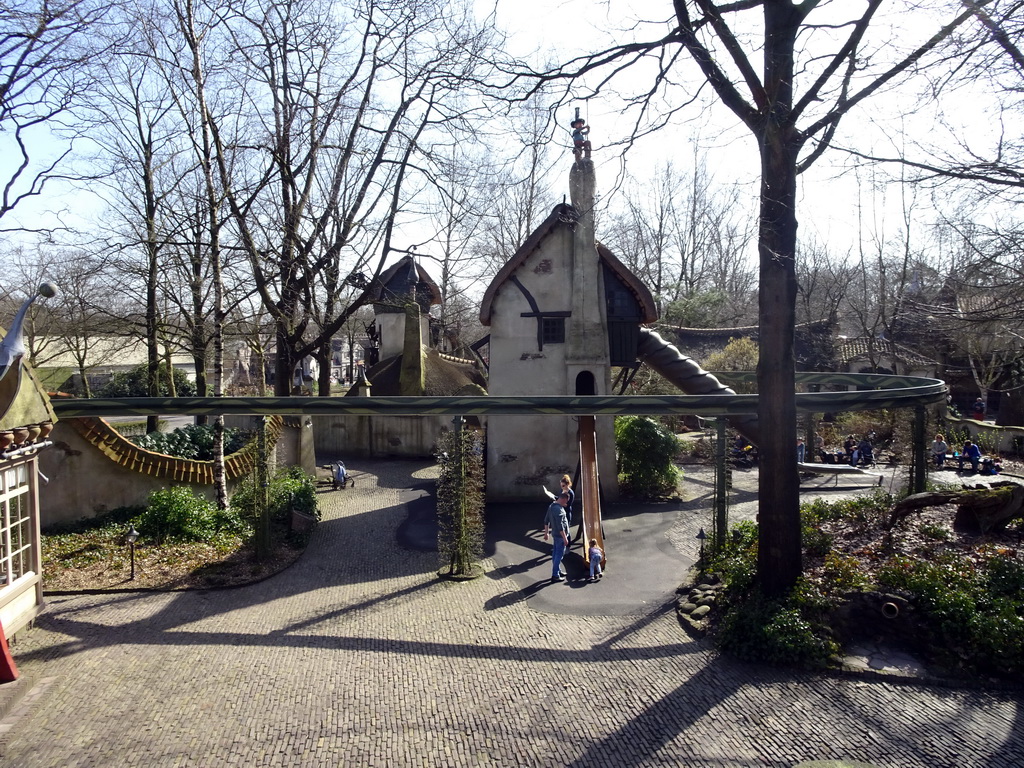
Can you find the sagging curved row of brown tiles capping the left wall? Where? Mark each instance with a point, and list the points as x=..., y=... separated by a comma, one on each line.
x=121, y=451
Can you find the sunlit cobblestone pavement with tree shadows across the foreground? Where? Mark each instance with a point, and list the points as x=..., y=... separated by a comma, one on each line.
x=359, y=656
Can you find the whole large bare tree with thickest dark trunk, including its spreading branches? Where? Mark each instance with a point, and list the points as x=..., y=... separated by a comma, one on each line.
x=818, y=63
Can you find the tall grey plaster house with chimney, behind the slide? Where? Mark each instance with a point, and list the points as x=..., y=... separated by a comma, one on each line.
x=563, y=312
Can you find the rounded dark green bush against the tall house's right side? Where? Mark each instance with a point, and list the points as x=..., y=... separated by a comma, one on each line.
x=647, y=457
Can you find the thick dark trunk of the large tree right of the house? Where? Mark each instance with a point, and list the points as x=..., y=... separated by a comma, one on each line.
x=780, y=561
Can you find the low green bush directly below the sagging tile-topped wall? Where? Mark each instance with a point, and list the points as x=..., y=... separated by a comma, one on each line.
x=178, y=515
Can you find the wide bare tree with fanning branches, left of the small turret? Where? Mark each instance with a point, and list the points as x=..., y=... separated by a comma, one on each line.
x=337, y=112
